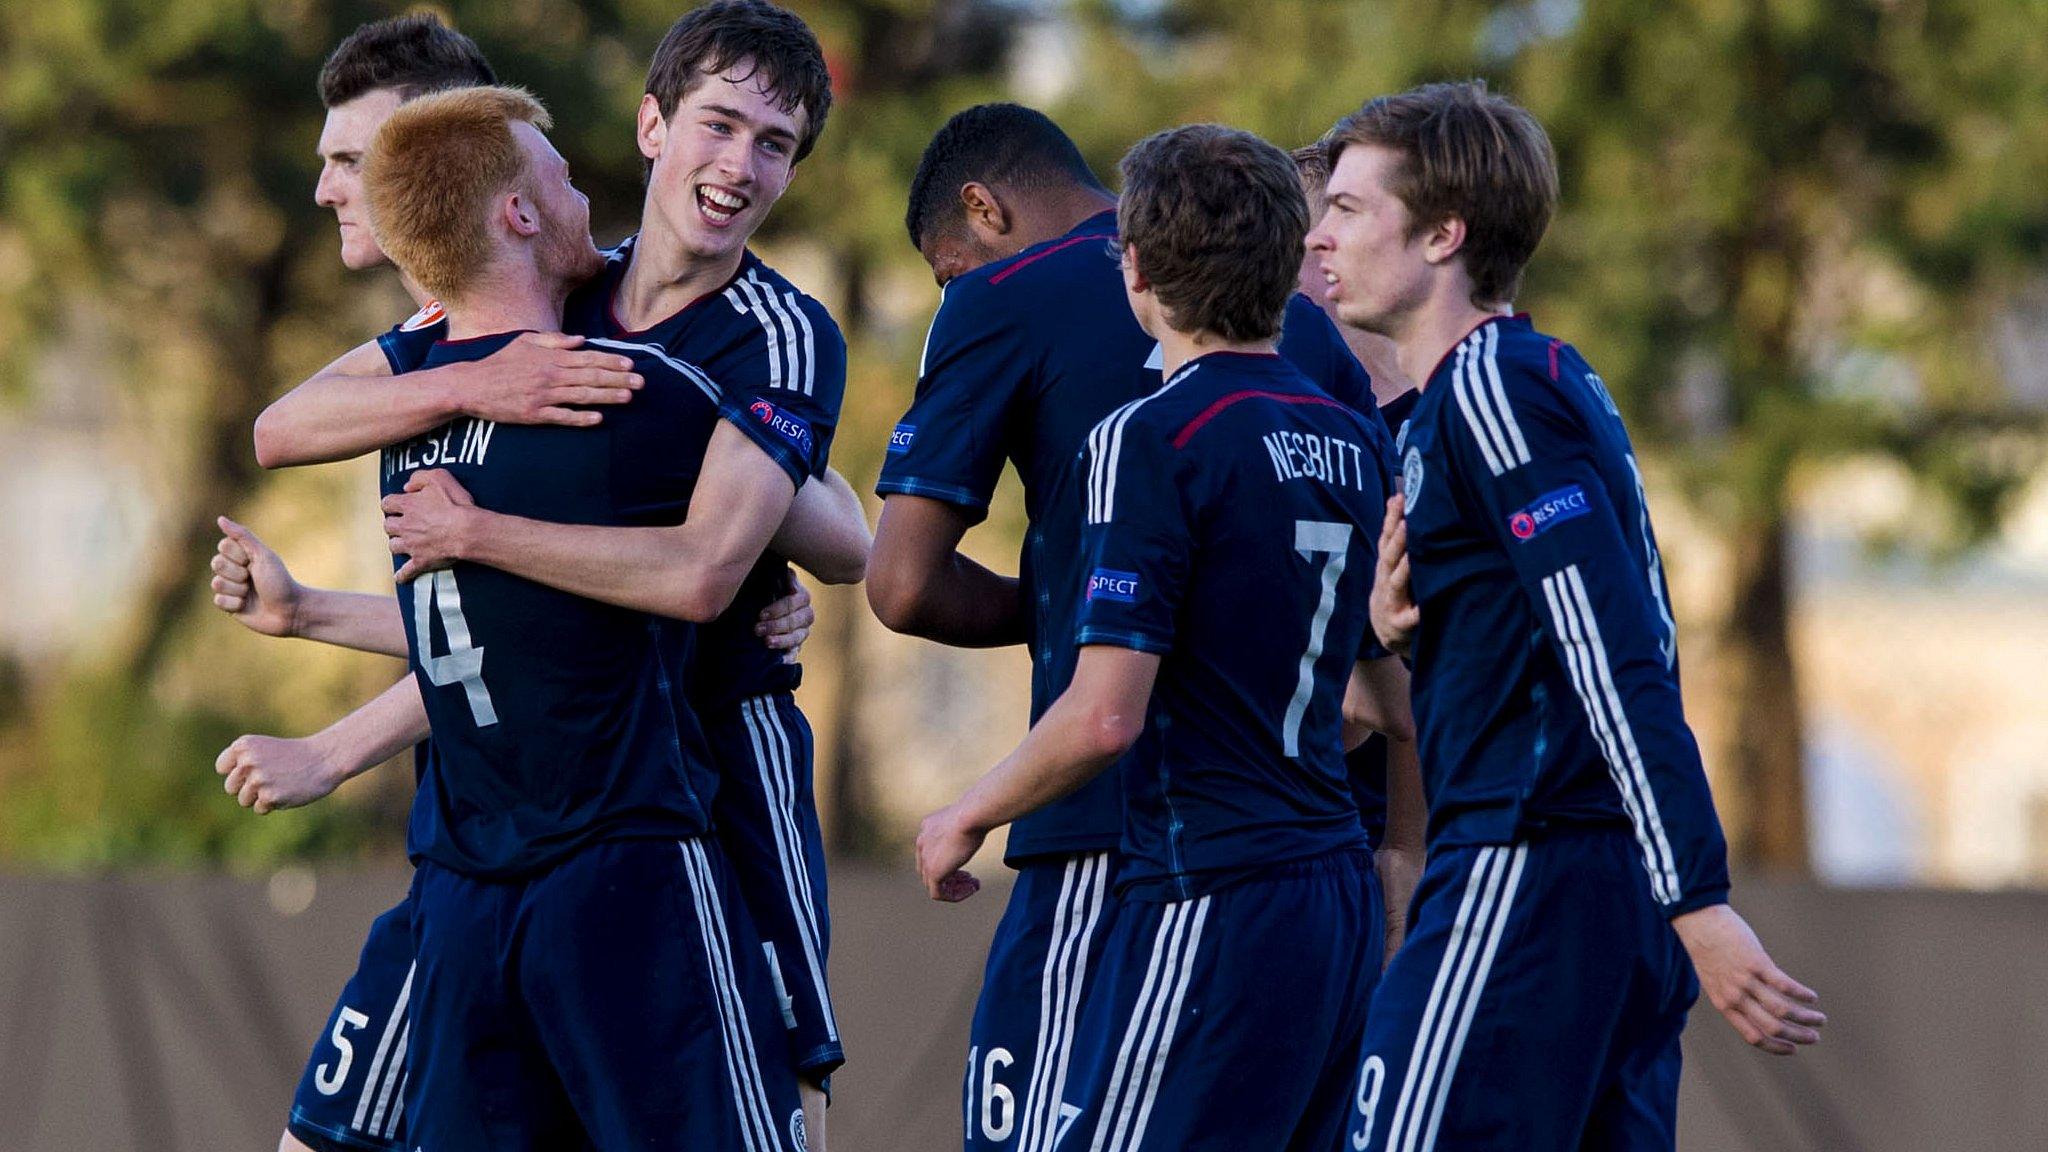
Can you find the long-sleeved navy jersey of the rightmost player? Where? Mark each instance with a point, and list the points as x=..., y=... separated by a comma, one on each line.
x=1547, y=661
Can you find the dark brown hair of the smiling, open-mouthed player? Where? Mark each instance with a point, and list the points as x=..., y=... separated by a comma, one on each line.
x=773, y=42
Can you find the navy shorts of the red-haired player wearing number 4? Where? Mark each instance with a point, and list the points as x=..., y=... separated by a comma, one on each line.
x=613, y=1001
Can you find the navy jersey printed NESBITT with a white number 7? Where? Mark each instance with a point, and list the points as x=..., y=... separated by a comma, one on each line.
x=1232, y=528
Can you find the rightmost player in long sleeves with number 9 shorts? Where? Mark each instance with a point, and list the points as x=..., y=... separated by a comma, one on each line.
x=1576, y=860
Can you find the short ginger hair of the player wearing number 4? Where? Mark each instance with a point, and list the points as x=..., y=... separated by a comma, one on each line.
x=433, y=173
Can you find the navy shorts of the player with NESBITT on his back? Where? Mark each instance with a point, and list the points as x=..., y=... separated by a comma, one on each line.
x=1232, y=1022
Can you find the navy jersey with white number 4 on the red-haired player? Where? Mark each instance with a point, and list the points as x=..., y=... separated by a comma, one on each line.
x=558, y=721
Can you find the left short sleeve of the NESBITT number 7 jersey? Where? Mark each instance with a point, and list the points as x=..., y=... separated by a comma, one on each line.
x=1138, y=540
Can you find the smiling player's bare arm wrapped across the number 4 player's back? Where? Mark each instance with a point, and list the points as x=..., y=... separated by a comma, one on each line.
x=689, y=571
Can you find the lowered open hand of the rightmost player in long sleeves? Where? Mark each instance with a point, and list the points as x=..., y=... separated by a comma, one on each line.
x=1768, y=1007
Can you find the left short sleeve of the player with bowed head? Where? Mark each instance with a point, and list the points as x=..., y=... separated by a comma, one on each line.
x=951, y=444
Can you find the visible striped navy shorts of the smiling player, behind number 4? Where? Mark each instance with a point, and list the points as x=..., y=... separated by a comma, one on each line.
x=767, y=825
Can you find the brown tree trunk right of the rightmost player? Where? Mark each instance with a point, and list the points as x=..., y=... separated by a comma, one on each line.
x=1768, y=813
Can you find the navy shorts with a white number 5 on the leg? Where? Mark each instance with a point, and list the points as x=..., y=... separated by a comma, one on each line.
x=351, y=1096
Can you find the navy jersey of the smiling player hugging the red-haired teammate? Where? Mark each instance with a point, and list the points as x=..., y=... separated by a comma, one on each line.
x=769, y=343
